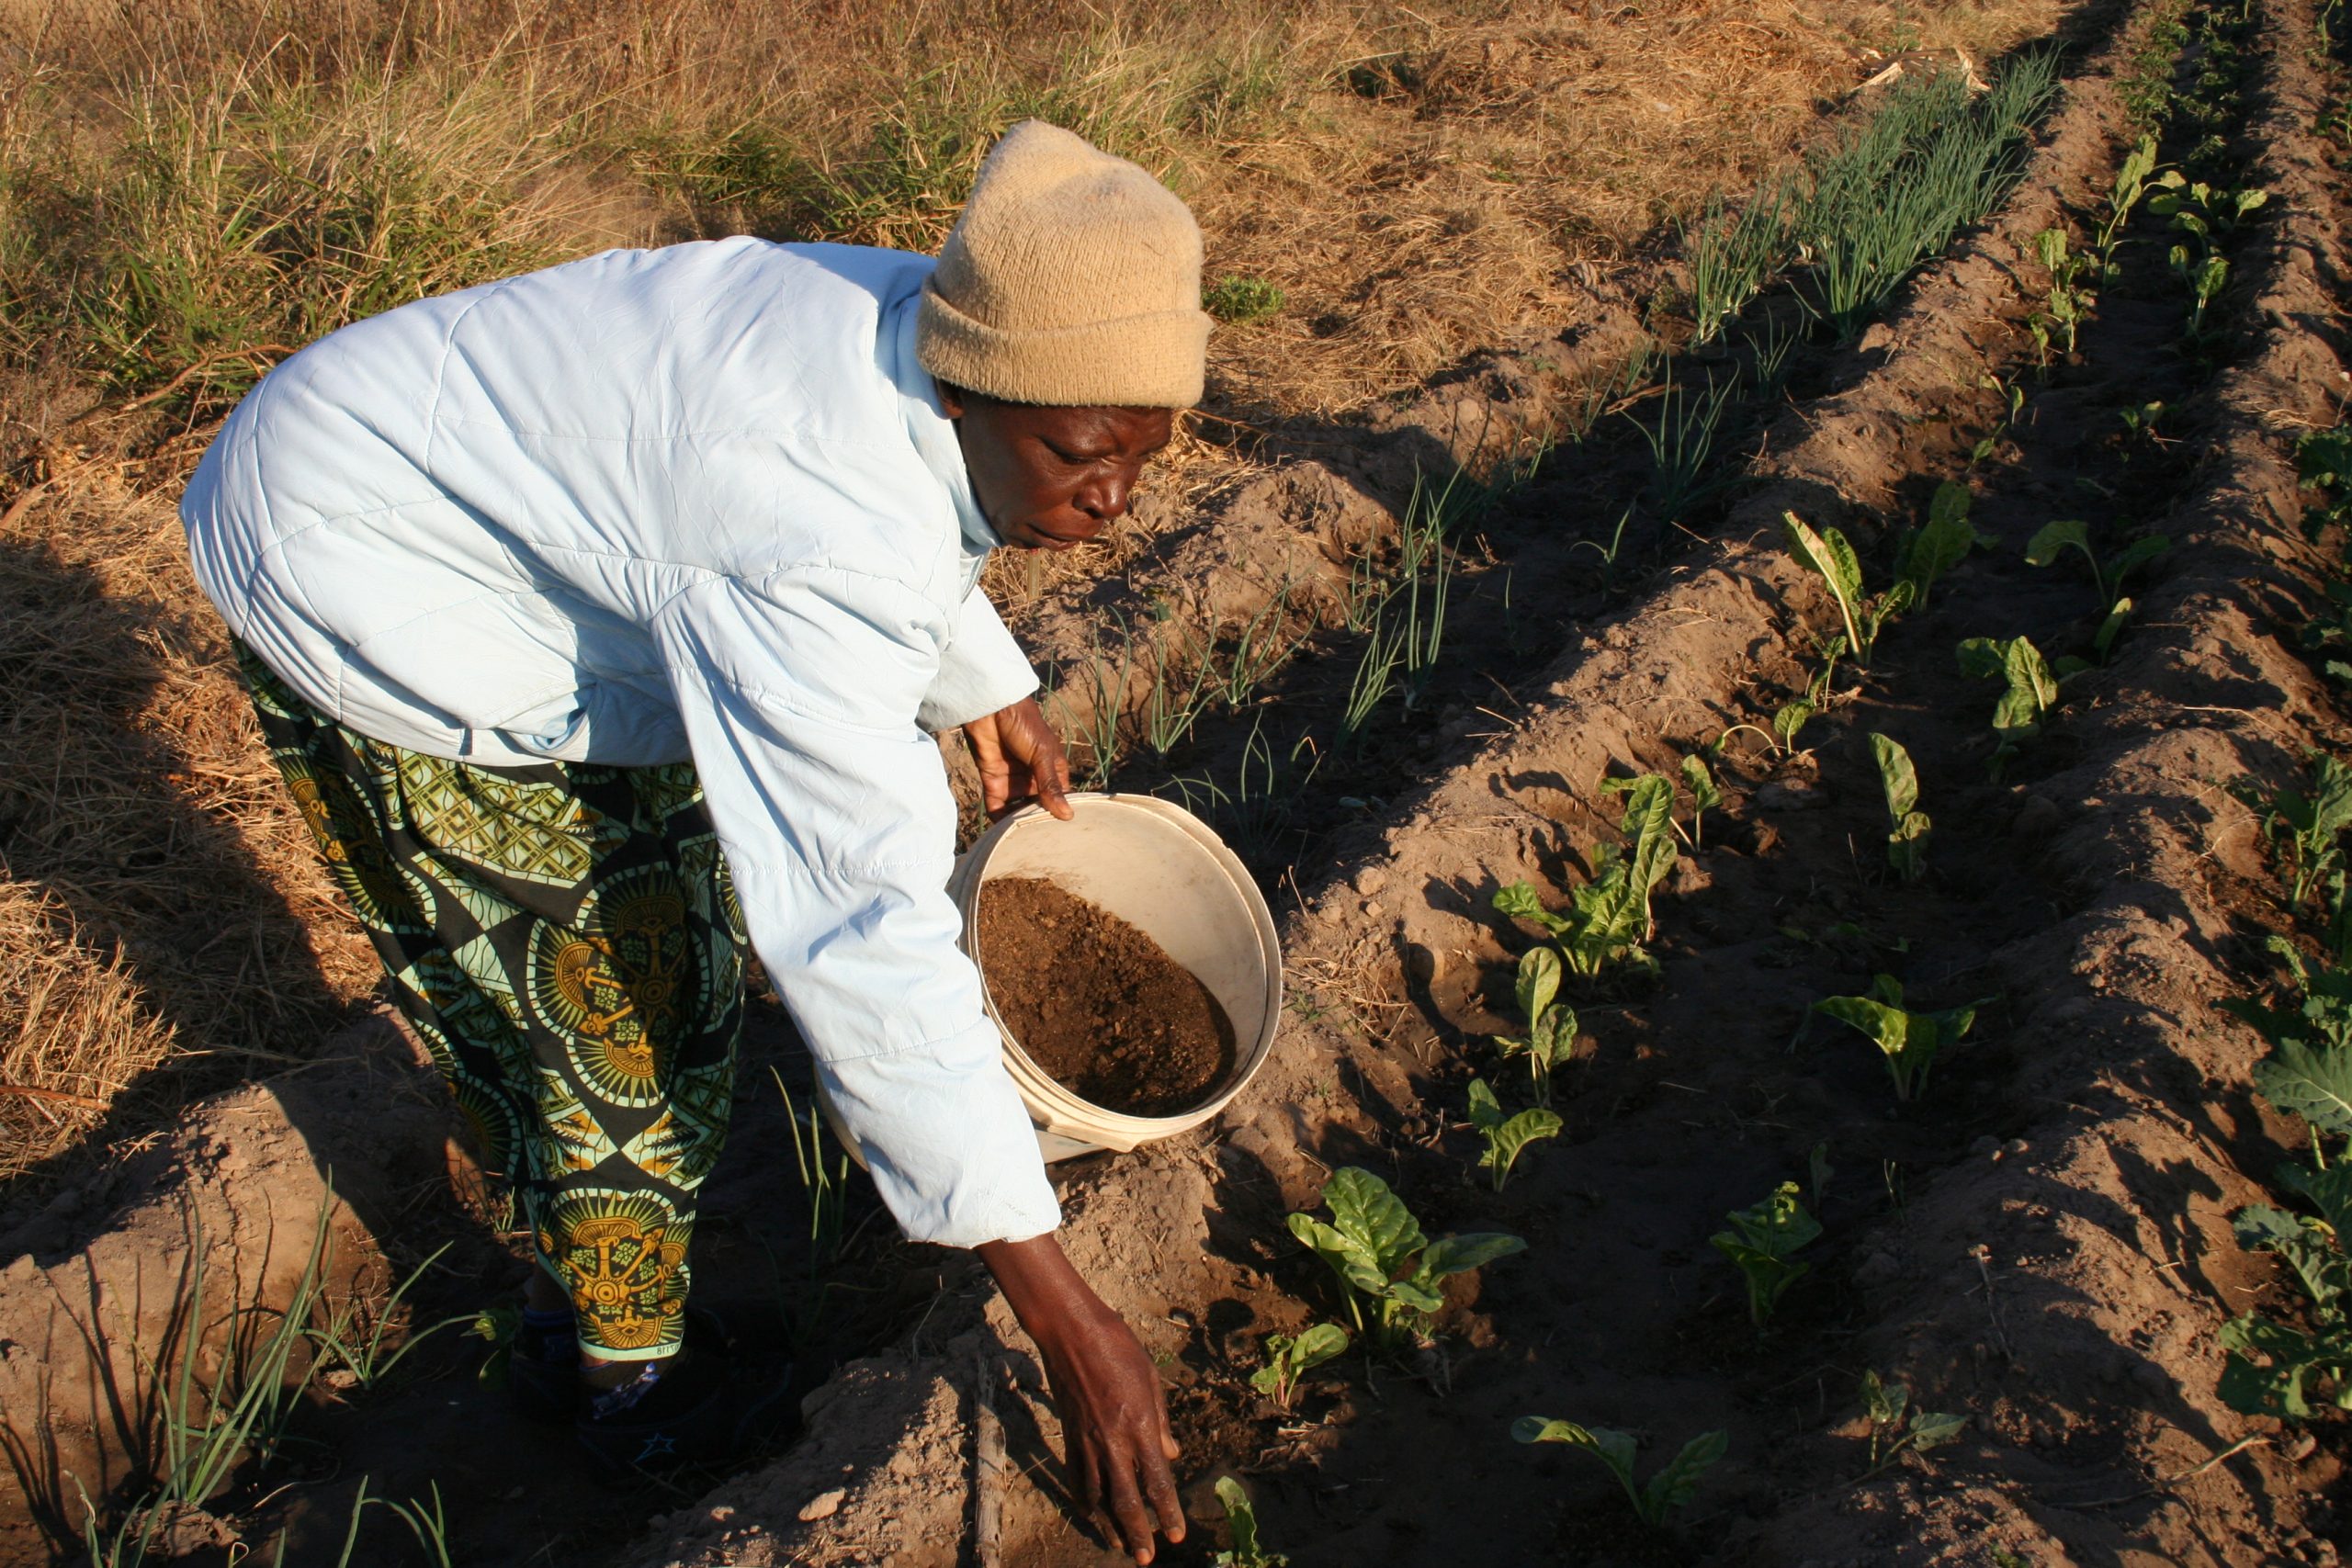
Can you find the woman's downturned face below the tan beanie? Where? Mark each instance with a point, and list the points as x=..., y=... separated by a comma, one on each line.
x=1053, y=478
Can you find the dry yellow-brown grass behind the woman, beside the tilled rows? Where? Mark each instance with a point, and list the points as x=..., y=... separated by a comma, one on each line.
x=189, y=187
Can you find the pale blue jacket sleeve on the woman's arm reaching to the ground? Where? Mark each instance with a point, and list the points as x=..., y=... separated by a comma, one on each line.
x=801, y=699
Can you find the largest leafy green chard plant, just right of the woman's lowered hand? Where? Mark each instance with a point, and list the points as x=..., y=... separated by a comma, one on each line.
x=1389, y=1271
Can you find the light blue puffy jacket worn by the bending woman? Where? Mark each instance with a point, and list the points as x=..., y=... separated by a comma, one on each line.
x=662, y=504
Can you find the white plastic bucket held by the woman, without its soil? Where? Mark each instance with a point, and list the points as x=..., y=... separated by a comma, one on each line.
x=1168, y=876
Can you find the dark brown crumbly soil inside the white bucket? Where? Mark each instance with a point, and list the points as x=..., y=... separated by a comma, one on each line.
x=1095, y=1003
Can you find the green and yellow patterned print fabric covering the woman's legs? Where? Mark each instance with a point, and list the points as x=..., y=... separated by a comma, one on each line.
x=566, y=944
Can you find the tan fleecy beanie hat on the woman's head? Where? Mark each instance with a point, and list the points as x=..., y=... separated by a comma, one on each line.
x=1071, y=279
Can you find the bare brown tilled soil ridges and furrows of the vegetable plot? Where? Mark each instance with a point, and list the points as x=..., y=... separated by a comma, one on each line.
x=2040, y=1242
